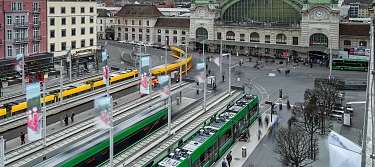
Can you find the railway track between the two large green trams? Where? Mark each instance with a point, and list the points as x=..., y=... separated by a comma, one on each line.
x=181, y=126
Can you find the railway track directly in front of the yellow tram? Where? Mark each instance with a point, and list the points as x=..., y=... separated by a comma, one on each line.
x=54, y=108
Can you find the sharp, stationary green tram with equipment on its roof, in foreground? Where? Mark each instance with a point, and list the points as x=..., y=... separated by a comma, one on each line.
x=211, y=142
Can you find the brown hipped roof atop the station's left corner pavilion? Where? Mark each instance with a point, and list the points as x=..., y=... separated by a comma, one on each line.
x=136, y=10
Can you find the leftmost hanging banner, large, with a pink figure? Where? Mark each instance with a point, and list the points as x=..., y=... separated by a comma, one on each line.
x=34, y=112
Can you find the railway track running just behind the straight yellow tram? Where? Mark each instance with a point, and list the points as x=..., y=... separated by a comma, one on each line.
x=21, y=96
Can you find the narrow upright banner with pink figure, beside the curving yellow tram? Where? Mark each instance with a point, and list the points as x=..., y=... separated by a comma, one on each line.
x=145, y=75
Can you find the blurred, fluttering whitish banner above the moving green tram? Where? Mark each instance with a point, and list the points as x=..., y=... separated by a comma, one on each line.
x=102, y=107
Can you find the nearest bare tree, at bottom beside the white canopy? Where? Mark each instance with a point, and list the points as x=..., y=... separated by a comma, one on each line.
x=292, y=144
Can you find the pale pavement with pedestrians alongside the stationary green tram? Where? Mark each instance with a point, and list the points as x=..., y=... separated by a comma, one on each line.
x=237, y=159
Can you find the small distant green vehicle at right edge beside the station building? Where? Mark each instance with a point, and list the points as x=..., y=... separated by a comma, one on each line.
x=350, y=64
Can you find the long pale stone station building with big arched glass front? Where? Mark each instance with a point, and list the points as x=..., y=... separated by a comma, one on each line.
x=250, y=27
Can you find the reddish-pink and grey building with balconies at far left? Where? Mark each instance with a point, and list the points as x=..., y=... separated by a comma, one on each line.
x=23, y=28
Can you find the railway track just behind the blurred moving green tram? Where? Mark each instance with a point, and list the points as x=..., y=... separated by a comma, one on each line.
x=32, y=153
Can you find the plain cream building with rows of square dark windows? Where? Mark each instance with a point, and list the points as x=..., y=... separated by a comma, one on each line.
x=72, y=25
